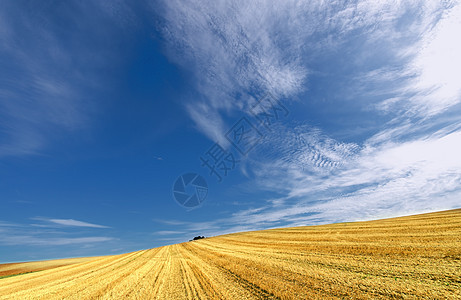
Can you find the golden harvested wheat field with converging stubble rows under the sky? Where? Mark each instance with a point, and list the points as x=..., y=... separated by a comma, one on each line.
x=411, y=257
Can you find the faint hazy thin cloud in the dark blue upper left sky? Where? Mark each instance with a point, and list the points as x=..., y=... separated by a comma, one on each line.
x=49, y=80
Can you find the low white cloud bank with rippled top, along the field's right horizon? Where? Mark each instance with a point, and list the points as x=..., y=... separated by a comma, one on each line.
x=373, y=181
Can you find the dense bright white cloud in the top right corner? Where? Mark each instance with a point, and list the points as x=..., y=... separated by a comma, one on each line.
x=426, y=84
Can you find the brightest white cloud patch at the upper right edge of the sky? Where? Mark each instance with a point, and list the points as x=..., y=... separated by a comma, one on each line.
x=423, y=66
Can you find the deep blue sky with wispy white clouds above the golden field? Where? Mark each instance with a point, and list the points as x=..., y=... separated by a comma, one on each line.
x=104, y=104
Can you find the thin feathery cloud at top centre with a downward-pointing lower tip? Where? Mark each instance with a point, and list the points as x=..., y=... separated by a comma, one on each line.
x=233, y=49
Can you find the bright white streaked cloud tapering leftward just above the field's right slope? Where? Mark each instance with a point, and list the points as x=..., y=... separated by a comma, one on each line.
x=388, y=180
